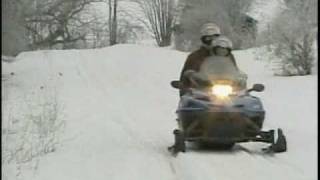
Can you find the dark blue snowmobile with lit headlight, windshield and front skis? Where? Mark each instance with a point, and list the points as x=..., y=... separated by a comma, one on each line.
x=219, y=110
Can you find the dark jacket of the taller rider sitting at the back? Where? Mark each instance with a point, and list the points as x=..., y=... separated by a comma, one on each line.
x=194, y=61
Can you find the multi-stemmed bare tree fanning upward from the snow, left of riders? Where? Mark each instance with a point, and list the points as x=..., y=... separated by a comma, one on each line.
x=160, y=16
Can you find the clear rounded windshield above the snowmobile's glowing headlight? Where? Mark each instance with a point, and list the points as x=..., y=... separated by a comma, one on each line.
x=217, y=68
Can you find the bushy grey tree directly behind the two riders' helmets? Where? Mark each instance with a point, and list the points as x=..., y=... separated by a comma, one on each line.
x=229, y=15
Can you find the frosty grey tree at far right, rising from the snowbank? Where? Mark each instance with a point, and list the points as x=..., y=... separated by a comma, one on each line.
x=292, y=36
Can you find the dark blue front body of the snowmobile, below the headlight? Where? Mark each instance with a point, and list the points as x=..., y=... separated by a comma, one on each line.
x=201, y=119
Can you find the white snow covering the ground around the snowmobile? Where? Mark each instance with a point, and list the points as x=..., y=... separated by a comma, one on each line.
x=120, y=112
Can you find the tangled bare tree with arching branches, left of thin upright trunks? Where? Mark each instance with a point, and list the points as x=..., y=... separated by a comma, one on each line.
x=56, y=22
